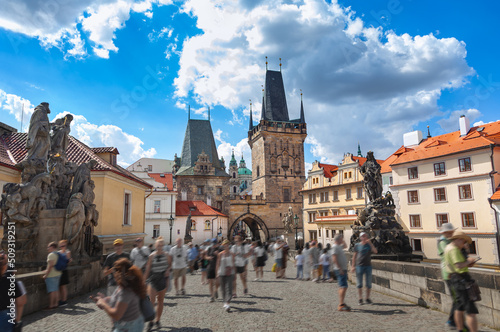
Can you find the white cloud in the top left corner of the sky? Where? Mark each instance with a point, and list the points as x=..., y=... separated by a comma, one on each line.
x=54, y=22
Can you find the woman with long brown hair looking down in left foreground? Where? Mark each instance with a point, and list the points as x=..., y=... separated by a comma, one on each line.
x=123, y=306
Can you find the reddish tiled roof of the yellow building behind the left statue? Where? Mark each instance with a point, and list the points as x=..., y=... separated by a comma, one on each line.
x=13, y=146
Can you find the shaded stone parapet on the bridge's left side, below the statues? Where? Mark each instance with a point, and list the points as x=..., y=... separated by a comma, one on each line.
x=83, y=279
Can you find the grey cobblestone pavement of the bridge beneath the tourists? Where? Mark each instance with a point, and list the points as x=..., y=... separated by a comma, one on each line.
x=271, y=305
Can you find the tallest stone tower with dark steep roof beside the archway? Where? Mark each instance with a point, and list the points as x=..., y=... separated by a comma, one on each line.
x=277, y=145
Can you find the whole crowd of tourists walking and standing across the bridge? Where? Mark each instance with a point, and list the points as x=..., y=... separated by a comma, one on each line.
x=147, y=273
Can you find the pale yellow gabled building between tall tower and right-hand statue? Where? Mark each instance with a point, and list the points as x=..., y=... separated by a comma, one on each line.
x=332, y=195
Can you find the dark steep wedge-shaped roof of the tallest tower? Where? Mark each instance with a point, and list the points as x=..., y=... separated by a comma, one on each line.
x=274, y=107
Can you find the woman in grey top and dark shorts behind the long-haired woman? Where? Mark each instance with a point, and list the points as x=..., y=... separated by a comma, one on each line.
x=157, y=272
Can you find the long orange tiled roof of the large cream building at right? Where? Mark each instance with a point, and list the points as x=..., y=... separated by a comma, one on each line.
x=450, y=143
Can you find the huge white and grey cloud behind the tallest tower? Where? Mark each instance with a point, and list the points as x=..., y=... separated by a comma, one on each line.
x=360, y=83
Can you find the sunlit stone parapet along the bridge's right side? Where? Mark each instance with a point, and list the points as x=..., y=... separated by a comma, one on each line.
x=422, y=284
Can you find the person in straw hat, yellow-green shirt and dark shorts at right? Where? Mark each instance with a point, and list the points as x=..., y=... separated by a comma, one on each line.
x=457, y=266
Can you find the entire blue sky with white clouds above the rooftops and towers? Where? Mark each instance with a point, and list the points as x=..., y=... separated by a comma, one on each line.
x=369, y=71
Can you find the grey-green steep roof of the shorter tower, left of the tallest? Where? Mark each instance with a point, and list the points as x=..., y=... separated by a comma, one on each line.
x=198, y=138
